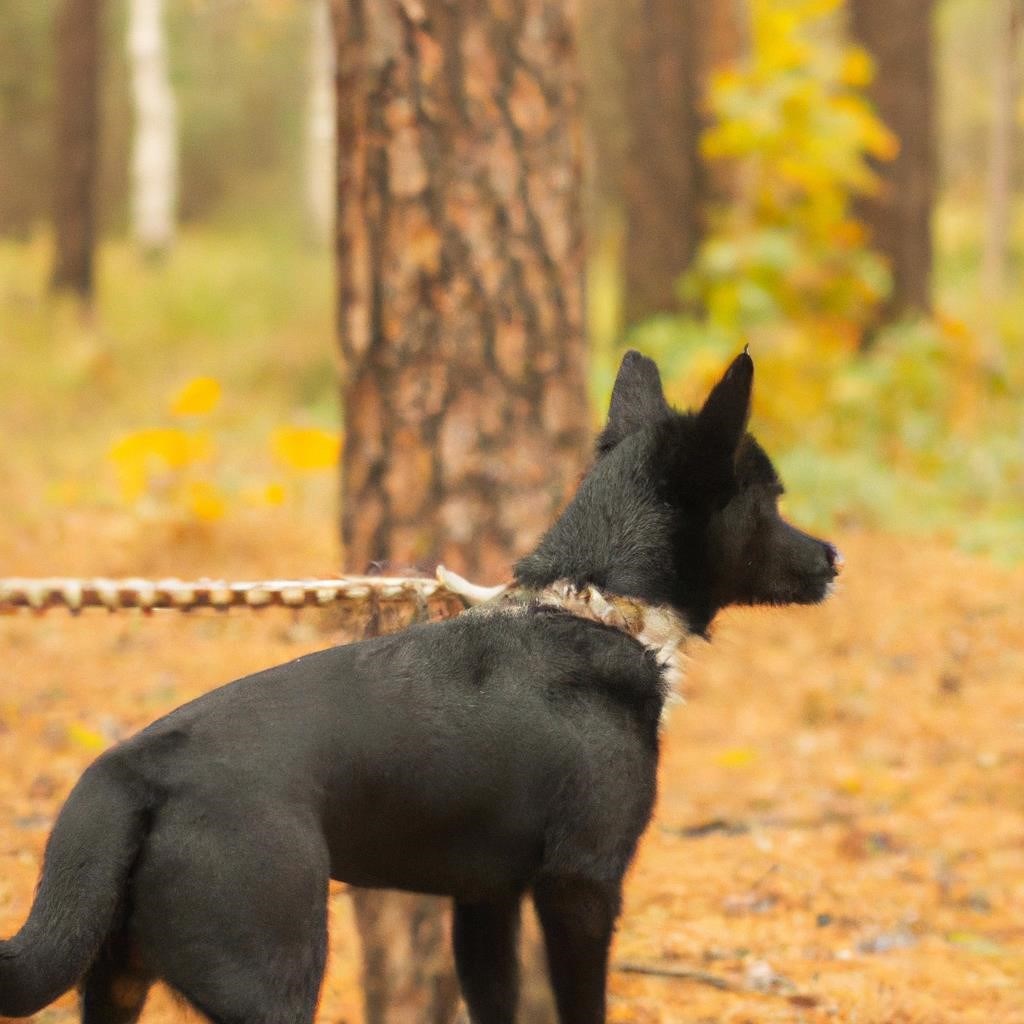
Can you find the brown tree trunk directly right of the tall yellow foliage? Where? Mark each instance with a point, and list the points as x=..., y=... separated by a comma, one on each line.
x=899, y=35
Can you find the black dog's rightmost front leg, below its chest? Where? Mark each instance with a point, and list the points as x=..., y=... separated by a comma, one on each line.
x=578, y=918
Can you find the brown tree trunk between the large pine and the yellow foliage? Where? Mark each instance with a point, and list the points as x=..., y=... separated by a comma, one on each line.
x=671, y=50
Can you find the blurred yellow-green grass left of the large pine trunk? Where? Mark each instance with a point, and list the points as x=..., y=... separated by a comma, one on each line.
x=250, y=309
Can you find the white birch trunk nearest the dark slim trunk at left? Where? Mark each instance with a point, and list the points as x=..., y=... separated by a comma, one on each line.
x=155, y=150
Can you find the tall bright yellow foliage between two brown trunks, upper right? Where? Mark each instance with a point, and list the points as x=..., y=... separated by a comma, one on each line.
x=791, y=121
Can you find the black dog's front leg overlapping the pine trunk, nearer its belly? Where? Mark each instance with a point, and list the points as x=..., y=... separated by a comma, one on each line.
x=486, y=940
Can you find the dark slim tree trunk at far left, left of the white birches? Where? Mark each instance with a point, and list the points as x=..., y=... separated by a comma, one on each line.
x=77, y=106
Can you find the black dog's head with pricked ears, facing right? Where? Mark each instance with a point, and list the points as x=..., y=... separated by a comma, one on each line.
x=682, y=508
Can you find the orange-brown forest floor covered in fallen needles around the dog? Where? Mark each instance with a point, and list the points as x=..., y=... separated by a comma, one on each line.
x=840, y=835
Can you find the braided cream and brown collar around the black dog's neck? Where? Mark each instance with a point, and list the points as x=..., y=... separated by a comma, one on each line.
x=659, y=629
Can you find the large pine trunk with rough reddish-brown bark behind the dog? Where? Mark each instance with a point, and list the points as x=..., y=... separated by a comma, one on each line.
x=460, y=273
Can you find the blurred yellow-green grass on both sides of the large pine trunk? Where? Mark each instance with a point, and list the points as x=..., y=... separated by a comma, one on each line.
x=254, y=310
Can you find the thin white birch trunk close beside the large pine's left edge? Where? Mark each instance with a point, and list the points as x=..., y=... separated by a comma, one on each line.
x=321, y=127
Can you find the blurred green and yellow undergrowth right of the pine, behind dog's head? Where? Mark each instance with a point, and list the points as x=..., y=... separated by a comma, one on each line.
x=924, y=438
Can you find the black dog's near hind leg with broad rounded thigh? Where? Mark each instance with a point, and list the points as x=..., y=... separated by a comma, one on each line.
x=231, y=910
